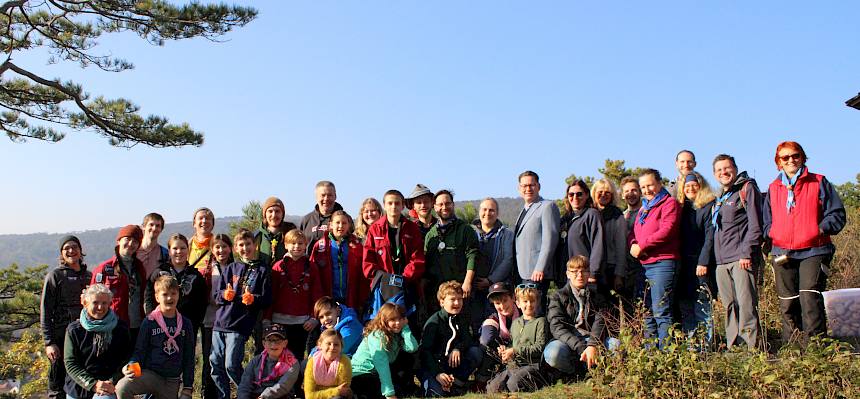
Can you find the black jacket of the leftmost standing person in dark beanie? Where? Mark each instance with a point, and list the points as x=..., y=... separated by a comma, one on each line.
x=61, y=301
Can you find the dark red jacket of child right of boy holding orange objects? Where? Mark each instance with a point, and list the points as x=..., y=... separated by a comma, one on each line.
x=295, y=288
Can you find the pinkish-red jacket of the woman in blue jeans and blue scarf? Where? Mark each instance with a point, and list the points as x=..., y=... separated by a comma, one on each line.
x=659, y=238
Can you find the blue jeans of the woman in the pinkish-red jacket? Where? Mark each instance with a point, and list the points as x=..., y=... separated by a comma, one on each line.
x=660, y=279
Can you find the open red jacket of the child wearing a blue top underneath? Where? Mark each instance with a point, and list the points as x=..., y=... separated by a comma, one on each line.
x=358, y=286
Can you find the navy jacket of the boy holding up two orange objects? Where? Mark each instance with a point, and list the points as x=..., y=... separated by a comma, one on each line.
x=235, y=316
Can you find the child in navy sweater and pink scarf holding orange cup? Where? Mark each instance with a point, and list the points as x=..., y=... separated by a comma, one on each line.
x=164, y=355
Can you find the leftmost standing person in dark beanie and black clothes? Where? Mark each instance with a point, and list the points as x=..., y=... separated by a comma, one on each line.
x=60, y=305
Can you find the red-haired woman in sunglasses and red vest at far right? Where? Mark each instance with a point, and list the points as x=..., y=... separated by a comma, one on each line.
x=800, y=214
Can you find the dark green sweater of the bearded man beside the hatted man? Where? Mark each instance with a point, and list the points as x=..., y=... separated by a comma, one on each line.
x=451, y=260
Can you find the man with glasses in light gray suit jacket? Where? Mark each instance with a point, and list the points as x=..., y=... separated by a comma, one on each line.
x=536, y=236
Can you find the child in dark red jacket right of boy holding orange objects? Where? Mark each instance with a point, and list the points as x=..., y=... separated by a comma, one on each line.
x=295, y=289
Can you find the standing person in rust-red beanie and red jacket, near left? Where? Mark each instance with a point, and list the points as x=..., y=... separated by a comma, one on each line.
x=126, y=278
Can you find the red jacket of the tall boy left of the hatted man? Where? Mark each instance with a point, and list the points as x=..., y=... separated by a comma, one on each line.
x=378, y=251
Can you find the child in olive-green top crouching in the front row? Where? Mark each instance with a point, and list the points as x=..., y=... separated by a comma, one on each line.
x=529, y=334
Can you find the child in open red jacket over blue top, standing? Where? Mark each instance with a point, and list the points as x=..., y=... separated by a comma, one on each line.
x=338, y=255
